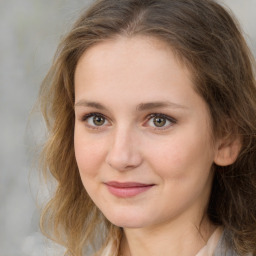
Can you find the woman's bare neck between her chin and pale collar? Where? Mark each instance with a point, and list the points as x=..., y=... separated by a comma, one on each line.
x=182, y=238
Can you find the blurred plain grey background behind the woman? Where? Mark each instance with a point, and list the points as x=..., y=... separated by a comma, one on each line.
x=29, y=34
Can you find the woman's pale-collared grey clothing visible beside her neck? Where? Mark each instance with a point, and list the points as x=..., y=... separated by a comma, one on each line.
x=215, y=246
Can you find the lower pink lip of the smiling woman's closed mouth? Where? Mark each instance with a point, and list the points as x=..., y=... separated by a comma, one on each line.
x=127, y=192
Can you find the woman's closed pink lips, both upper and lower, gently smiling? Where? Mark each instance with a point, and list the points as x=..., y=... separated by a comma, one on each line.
x=127, y=189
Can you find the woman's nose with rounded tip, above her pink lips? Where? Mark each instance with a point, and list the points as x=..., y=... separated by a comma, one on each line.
x=124, y=153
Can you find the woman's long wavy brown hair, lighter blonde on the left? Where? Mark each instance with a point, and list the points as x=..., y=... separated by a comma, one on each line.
x=209, y=41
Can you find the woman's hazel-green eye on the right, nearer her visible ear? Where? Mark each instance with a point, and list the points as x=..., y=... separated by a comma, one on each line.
x=160, y=121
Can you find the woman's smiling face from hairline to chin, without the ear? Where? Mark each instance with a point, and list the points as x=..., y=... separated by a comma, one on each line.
x=142, y=134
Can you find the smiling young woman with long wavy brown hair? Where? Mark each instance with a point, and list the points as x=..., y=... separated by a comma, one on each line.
x=151, y=111
